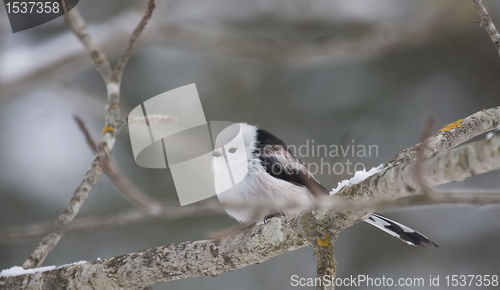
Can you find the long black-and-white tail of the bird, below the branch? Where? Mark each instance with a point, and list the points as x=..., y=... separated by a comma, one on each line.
x=400, y=231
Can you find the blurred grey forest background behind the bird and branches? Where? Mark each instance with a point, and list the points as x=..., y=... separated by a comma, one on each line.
x=332, y=71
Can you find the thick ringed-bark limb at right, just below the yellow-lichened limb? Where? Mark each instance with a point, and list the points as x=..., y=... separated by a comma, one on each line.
x=453, y=165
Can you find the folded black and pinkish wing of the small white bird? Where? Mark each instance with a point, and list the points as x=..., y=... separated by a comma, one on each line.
x=281, y=163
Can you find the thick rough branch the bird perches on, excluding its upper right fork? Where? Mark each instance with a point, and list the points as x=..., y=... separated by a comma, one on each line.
x=201, y=258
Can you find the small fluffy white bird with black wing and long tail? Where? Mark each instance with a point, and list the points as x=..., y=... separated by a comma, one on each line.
x=262, y=169
